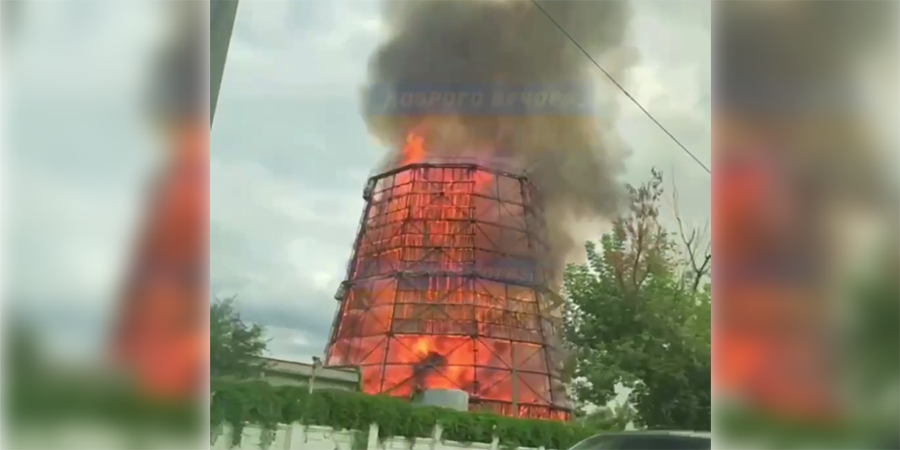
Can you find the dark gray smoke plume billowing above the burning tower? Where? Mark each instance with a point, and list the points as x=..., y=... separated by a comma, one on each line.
x=574, y=162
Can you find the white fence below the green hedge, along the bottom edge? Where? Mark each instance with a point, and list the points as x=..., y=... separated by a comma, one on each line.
x=298, y=437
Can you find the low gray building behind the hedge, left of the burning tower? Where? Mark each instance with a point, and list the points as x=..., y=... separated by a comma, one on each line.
x=279, y=372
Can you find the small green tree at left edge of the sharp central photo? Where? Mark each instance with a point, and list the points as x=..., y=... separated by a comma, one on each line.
x=235, y=347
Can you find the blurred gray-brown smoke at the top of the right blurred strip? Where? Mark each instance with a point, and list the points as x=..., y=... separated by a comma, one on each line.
x=802, y=57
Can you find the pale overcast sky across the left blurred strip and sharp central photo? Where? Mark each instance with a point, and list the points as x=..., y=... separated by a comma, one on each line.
x=290, y=153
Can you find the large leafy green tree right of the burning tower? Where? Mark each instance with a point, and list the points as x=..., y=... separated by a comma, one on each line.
x=638, y=316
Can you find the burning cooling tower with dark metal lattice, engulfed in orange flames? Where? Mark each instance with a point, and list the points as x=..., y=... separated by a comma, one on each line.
x=447, y=289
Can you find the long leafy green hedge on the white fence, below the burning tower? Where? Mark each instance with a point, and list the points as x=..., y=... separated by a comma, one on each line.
x=258, y=403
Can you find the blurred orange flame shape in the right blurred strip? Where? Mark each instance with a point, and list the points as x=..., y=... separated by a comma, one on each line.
x=765, y=319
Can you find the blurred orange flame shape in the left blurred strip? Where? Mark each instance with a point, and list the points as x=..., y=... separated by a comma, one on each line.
x=160, y=339
